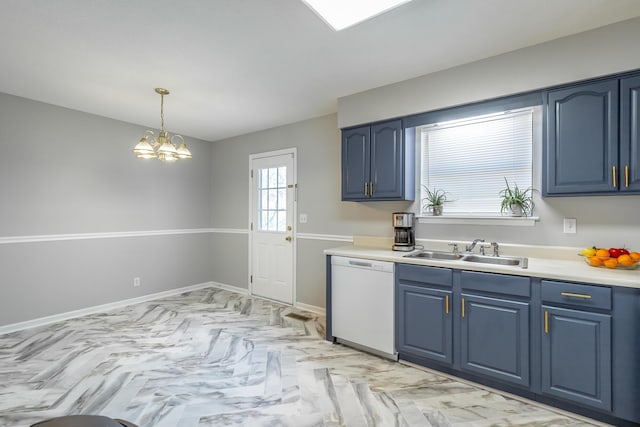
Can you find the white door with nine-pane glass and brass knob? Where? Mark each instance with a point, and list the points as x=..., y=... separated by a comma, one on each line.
x=272, y=219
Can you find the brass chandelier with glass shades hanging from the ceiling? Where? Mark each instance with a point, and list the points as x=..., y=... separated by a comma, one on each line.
x=163, y=147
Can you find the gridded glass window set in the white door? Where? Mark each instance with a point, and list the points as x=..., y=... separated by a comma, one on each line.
x=272, y=193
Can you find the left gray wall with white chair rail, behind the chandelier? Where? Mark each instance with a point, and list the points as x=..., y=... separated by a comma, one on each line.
x=67, y=172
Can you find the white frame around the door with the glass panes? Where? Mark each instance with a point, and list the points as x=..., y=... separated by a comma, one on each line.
x=293, y=151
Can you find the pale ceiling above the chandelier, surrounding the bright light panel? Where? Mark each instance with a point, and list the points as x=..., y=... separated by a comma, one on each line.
x=239, y=66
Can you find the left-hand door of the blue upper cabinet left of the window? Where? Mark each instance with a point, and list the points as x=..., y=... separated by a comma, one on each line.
x=355, y=164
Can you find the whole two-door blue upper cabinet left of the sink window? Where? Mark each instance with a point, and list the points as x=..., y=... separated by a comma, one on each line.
x=377, y=163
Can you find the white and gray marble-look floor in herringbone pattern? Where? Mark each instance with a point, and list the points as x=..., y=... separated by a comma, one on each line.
x=215, y=358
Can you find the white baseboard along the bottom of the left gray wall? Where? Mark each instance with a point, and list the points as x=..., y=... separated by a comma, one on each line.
x=41, y=321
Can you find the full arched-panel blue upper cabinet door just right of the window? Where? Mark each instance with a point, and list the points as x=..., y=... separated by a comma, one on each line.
x=581, y=150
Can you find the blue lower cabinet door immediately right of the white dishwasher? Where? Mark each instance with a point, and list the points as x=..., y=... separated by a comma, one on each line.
x=425, y=323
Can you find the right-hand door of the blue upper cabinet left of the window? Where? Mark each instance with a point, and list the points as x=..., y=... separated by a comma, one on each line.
x=387, y=160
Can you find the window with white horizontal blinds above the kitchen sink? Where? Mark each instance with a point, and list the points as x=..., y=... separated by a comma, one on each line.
x=470, y=159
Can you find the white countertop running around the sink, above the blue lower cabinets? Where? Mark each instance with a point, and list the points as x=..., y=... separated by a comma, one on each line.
x=566, y=264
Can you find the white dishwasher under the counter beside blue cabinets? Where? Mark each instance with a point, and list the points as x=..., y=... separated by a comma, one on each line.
x=362, y=304
